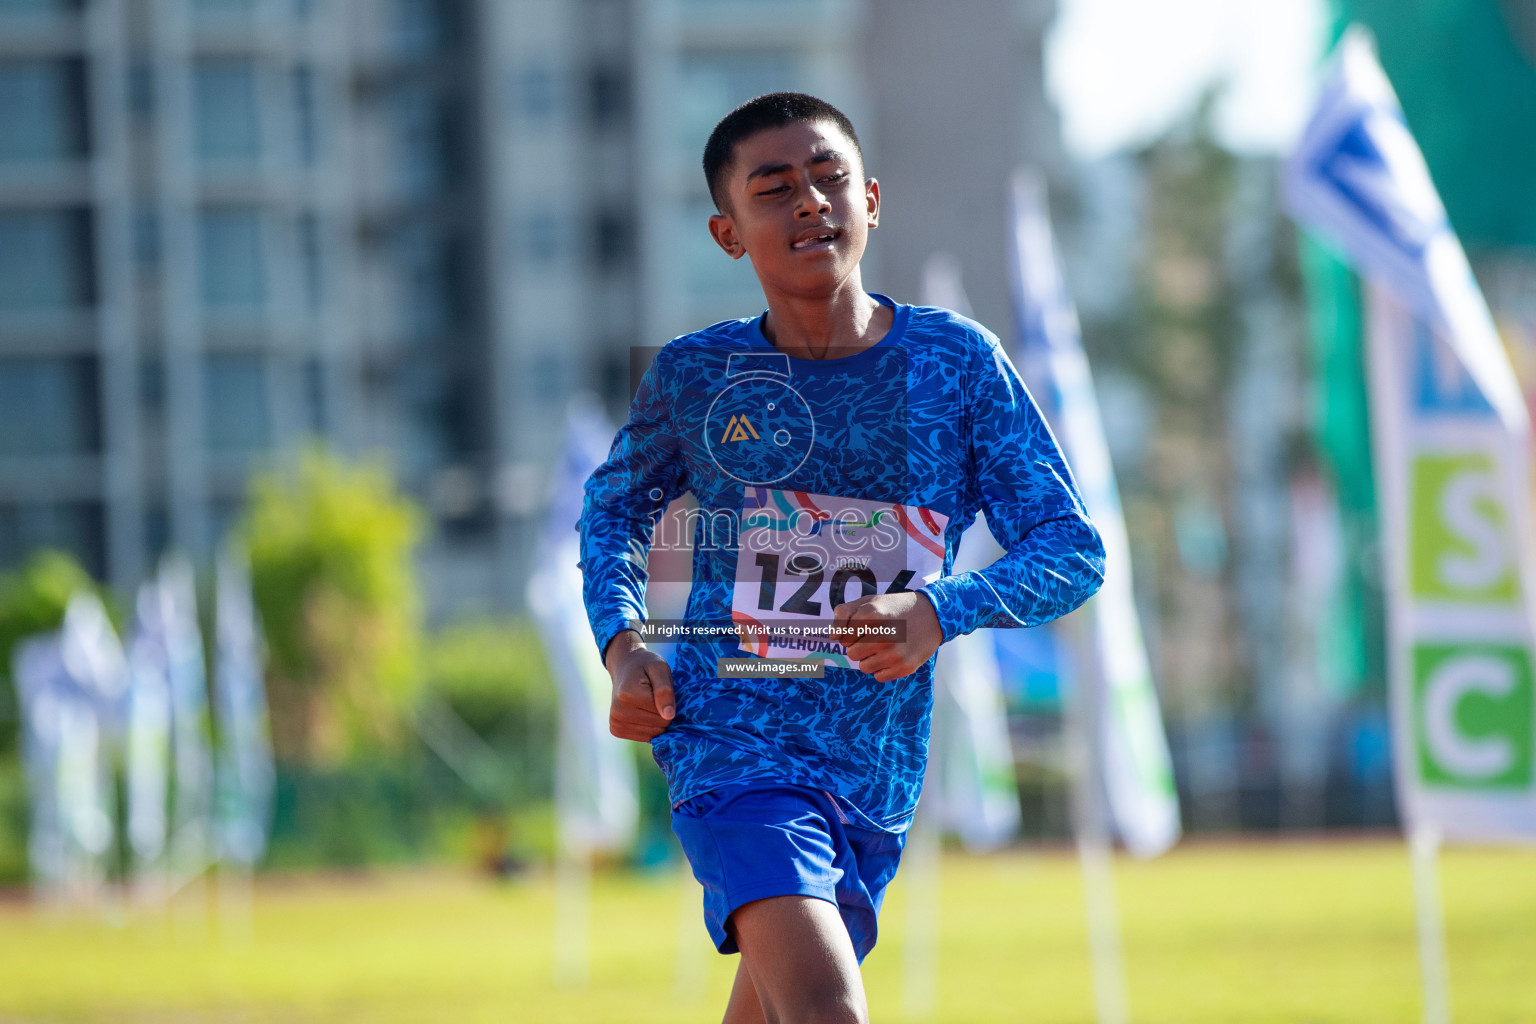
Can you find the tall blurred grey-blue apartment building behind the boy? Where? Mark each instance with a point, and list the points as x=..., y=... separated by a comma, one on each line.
x=417, y=228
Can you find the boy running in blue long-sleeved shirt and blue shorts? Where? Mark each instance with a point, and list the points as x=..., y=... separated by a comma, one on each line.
x=838, y=446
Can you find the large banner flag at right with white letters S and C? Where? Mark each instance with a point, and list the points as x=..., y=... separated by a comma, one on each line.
x=1452, y=449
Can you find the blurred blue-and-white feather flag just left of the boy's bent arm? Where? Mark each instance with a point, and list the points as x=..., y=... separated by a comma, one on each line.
x=597, y=788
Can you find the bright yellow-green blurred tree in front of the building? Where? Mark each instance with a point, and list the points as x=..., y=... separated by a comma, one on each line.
x=331, y=561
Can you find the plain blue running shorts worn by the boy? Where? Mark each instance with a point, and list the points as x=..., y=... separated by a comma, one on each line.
x=760, y=841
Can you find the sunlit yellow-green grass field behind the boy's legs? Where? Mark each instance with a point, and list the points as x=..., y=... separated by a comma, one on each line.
x=1299, y=933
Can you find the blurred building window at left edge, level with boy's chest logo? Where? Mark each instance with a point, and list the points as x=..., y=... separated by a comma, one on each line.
x=48, y=408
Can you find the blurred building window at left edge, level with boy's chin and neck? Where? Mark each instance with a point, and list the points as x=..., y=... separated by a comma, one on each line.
x=45, y=260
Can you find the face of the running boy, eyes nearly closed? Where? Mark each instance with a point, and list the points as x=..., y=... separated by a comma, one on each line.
x=799, y=206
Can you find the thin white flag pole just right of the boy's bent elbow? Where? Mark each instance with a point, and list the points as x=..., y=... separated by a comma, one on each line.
x=1091, y=821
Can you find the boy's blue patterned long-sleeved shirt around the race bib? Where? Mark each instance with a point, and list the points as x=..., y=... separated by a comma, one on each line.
x=935, y=415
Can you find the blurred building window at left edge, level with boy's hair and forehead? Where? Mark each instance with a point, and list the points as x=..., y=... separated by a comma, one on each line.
x=42, y=111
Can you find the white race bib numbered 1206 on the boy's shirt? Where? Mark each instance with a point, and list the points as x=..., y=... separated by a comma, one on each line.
x=803, y=555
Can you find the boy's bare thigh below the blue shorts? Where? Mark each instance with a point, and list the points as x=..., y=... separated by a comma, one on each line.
x=801, y=960
